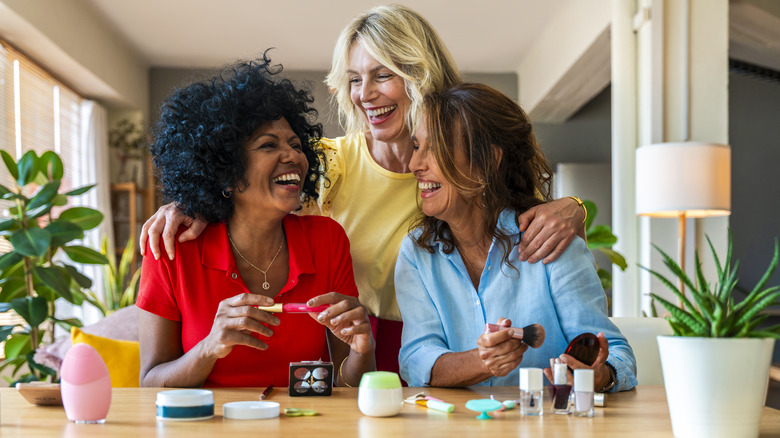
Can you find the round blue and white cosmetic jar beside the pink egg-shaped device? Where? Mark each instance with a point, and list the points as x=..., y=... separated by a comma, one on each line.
x=185, y=405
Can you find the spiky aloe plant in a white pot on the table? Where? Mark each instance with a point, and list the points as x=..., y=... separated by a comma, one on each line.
x=716, y=366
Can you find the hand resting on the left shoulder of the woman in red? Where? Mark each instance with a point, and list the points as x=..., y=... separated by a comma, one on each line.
x=165, y=221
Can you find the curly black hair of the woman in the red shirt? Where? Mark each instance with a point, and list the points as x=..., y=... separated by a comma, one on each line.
x=199, y=140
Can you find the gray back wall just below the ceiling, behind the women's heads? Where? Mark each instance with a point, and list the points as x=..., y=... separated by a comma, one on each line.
x=163, y=81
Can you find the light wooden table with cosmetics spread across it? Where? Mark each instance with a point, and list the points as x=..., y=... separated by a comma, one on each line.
x=638, y=413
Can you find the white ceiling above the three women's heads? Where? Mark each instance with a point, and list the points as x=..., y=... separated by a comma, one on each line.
x=483, y=36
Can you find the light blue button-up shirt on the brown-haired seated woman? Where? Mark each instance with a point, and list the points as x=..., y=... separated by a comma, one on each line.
x=443, y=313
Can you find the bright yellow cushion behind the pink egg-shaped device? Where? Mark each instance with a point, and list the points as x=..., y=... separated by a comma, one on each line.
x=121, y=357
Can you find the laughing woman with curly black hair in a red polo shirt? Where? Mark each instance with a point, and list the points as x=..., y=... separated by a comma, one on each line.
x=240, y=152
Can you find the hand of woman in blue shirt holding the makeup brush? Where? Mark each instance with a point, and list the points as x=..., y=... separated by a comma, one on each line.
x=499, y=351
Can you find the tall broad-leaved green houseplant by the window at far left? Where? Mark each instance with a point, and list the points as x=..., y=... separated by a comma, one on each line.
x=38, y=270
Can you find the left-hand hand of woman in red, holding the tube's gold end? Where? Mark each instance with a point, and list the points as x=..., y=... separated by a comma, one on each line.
x=236, y=319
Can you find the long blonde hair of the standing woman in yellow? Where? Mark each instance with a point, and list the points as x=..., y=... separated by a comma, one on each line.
x=403, y=41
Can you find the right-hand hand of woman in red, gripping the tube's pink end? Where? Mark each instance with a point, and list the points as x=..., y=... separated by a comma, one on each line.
x=347, y=319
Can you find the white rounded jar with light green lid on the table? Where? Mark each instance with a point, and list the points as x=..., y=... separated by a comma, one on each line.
x=380, y=394
